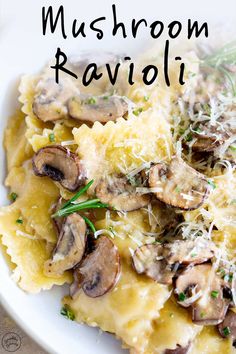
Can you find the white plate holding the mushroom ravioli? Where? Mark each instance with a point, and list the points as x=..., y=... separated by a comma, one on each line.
x=23, y=49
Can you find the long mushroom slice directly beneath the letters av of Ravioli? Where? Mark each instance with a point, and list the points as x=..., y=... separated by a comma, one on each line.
x=99, y=108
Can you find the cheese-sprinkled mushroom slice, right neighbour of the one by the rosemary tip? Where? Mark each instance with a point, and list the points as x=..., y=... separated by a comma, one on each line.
x=178, y=184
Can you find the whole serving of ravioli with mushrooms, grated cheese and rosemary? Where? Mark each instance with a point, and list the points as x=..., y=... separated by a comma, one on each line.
x=128, y=194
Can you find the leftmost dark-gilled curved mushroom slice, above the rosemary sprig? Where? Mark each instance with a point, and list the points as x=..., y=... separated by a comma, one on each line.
x=61, y=165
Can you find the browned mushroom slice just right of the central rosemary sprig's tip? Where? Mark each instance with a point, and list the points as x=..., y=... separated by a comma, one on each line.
x=120, y=194
